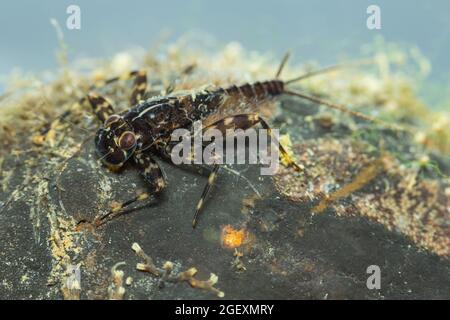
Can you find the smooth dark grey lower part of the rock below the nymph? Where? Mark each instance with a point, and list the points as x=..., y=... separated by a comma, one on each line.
x=287, y=253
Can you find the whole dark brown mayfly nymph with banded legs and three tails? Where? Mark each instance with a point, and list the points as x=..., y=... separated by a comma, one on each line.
x=145, y=129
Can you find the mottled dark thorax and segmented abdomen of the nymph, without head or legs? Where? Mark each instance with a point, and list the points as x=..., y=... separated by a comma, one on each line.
x=154, y=120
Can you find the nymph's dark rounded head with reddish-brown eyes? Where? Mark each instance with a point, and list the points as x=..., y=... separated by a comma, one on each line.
x=115, y=142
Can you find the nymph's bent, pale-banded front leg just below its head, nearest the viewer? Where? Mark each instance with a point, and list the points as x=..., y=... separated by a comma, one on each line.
x=152, y=174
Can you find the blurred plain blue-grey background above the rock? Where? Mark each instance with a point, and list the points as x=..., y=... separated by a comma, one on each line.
x=323, y=31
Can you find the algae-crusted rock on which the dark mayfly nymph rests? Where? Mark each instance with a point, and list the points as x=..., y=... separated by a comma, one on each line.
x=368, y=194
